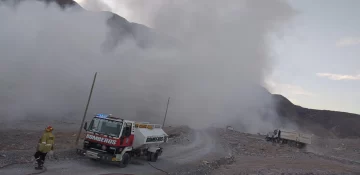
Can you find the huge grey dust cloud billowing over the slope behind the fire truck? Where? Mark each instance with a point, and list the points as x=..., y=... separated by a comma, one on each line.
x=213, y=74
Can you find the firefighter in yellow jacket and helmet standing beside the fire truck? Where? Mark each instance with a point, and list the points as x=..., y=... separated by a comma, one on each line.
x=45, y=146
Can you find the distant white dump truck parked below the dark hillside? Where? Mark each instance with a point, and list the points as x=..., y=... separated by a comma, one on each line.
x=292, y=138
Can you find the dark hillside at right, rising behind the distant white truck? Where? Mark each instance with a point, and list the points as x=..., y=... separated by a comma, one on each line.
x=323, y=123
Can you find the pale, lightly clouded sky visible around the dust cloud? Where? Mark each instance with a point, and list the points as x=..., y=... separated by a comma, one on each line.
x=317, y=62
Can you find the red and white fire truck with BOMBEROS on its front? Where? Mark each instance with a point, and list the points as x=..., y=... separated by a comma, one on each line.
x=117, y=140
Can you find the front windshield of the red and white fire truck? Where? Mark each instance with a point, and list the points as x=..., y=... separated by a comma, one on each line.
x=105, y=126
